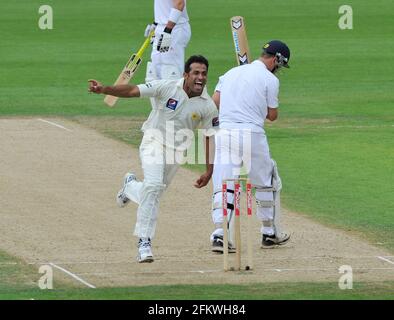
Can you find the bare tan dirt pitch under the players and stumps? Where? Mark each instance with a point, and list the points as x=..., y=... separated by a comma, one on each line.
x=58, y=185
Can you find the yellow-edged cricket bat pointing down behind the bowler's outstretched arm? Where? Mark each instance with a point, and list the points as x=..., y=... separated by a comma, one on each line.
x=129, y=69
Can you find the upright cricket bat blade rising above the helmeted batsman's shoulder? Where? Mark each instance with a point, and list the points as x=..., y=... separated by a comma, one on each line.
x=240, y=40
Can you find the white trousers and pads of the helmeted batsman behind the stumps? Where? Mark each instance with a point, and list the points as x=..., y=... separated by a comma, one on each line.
x=240, y=151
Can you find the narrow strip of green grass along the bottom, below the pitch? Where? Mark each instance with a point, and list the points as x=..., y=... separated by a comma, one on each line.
x=271, y=291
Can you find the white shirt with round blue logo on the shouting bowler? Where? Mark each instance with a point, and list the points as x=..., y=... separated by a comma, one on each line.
x=173, y=111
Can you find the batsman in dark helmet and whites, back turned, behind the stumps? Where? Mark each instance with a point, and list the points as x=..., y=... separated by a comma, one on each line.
x=247, y=95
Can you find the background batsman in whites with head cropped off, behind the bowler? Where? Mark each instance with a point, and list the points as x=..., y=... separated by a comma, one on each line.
x=172, y=34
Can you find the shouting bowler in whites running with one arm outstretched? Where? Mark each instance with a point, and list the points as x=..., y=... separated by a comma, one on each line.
x=179, y=107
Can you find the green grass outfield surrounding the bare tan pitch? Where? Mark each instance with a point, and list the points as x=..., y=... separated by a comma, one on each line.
x=333, y=141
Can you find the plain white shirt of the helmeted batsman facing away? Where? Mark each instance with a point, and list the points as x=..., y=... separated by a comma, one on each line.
x=245, y=93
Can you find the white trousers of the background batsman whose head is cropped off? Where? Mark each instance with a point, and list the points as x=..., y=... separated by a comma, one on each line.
x=172, y=61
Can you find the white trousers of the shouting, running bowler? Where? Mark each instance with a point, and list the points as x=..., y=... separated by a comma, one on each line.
x=157, y=176
